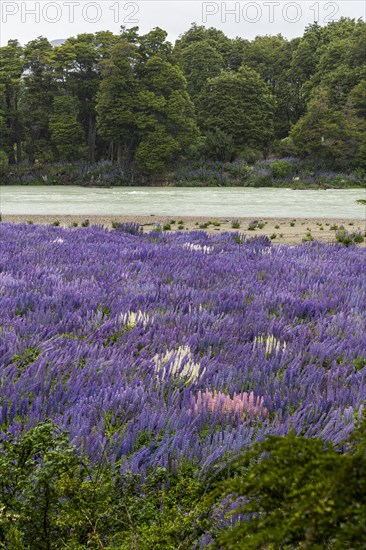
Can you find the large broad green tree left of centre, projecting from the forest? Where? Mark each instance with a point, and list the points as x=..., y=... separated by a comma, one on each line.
x=144, y=111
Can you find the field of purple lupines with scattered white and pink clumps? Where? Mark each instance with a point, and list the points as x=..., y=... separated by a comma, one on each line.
x=156, y=348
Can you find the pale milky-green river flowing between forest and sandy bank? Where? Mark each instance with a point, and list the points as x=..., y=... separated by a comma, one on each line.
x=175, y=201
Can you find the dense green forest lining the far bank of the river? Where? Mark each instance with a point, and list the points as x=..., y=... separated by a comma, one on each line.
x=133, y=108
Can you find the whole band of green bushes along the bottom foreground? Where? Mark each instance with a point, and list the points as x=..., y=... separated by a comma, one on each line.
x=292, y=492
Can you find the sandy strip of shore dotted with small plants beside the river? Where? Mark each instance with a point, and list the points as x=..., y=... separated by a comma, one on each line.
x=280, y=230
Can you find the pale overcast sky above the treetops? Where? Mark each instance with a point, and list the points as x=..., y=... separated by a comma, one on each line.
x=55, y=19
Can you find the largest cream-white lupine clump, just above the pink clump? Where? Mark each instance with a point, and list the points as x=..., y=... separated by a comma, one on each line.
x=190, y=370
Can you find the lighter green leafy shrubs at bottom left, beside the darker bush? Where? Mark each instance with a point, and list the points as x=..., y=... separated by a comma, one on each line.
x=52, y=498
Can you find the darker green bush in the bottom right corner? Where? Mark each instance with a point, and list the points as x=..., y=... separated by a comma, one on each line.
x=299, y=493
